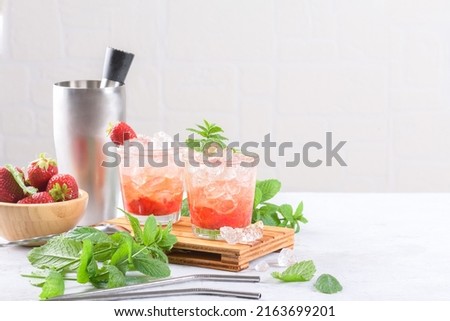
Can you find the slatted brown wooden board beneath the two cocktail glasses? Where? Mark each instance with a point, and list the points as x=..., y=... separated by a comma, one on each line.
x=214, y=254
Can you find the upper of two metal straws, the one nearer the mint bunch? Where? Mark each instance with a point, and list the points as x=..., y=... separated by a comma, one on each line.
x=107, y=293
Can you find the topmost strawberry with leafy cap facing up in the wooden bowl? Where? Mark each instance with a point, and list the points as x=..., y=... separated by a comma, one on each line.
x=40, y=171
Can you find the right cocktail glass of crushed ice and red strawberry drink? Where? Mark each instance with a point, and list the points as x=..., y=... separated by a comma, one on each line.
x=220, y=195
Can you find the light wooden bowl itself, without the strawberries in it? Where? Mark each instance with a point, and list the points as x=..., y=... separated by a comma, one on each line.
x=21, y=221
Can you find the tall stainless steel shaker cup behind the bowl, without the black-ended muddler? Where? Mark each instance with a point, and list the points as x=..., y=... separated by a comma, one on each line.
x=81, y=114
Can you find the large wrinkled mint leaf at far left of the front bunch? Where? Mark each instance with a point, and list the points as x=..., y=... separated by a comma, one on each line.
x=58, y=253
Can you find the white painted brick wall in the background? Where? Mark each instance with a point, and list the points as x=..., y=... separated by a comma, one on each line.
x=375, y=73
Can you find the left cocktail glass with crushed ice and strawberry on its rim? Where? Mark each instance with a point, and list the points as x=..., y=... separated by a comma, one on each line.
x=152, y=183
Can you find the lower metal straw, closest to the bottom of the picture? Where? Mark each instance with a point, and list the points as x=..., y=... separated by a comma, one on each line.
x=164, y=293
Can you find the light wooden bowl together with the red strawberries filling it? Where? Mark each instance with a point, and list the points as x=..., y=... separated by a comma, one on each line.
x=38, y=200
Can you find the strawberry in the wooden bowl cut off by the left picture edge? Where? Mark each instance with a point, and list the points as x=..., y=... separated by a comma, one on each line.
x=12, y=185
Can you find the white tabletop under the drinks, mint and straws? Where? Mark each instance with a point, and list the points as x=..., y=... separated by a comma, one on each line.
x=380, y=247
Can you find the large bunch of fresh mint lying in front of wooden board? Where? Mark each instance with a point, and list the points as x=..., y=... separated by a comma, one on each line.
x=101, y=259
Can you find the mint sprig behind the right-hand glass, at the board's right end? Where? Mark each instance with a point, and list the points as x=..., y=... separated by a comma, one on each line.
x=275, y=215
